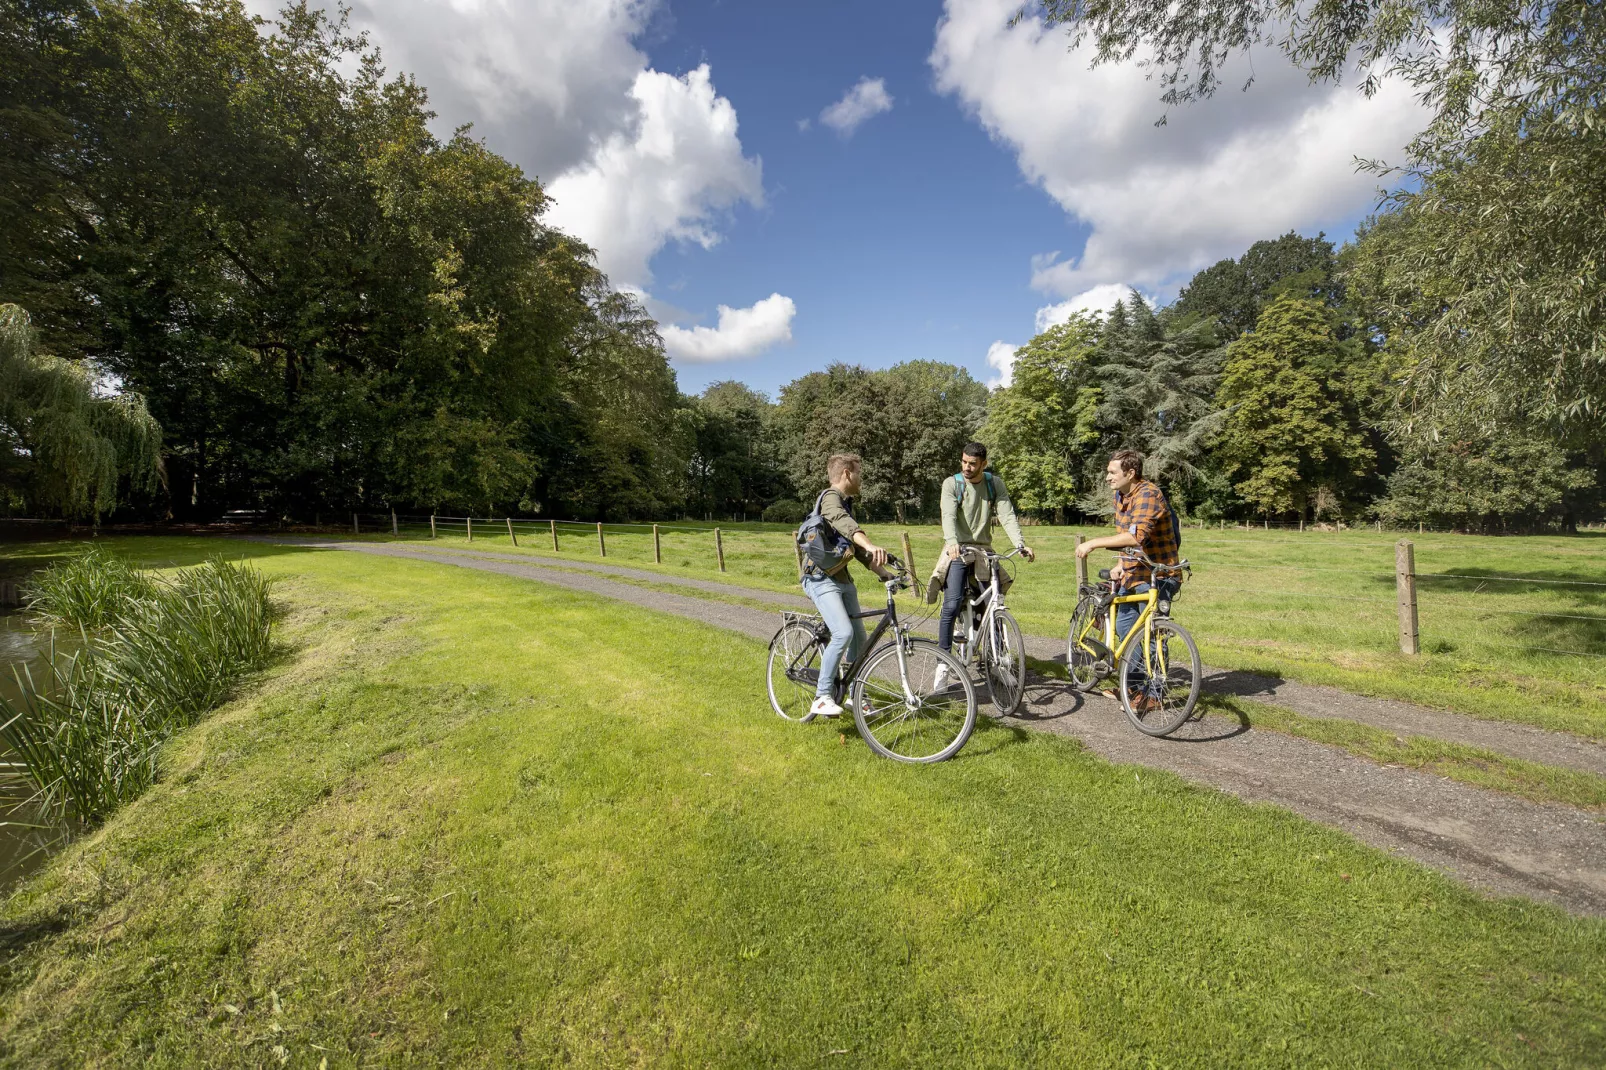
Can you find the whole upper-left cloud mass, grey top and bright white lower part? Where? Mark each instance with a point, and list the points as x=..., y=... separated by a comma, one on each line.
x=634, y=158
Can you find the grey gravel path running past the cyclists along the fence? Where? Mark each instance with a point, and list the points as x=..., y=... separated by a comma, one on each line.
x=1491, y=841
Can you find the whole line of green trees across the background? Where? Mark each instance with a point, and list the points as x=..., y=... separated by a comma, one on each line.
x=328, y=309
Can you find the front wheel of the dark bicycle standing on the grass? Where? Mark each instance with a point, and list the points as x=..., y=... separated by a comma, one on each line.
x=903, y=713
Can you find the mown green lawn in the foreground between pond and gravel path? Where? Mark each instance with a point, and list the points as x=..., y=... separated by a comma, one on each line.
x=479, y=822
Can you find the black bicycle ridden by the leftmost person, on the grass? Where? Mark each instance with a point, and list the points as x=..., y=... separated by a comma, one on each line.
x=897, y=703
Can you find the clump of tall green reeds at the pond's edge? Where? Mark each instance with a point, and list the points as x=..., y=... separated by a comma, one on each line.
x=155, y=656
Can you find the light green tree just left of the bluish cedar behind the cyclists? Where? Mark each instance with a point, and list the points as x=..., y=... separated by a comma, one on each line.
x=1040, y=430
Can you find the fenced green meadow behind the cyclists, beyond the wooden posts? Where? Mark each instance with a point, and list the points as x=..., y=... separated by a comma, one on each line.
x=1313, y=606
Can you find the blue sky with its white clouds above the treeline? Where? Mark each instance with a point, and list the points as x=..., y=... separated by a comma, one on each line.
x=992, y=186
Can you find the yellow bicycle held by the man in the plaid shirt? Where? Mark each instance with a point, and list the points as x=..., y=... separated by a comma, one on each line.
x=1156, y=663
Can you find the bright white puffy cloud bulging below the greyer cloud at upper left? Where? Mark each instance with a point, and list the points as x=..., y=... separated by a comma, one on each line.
x=664, y=181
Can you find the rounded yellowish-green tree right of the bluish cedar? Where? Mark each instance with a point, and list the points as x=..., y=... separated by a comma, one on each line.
x=1290, y=435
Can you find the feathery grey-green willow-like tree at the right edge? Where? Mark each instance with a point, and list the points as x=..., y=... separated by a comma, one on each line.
x=1490, y=284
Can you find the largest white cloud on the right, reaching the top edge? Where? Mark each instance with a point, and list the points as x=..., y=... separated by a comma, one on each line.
x=1165, y=202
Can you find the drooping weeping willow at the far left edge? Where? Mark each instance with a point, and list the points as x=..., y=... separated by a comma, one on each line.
x=65, y=447
